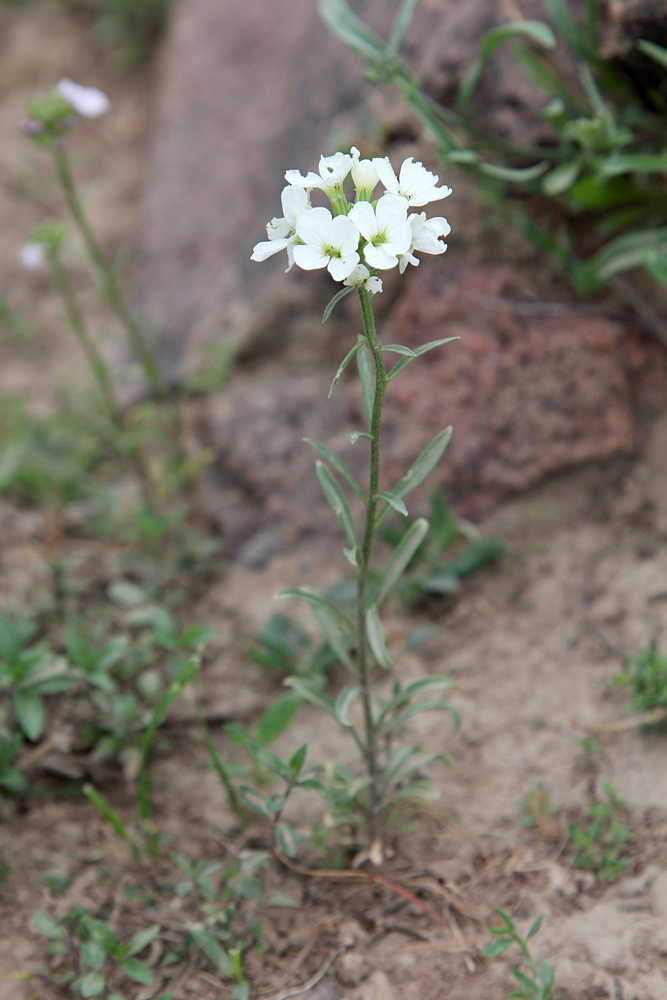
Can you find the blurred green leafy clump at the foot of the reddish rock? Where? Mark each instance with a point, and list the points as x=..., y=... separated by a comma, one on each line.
x=428, y=571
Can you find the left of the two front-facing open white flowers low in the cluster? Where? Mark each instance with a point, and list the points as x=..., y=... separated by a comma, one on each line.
x=327, y=242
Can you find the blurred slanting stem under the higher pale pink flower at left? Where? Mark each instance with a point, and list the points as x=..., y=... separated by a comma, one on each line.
x=113, y=295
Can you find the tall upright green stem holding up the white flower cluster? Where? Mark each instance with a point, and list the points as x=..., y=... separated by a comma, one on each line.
x=381, y=381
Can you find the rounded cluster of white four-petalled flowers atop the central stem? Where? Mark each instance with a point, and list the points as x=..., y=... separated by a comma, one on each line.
x=355, y=240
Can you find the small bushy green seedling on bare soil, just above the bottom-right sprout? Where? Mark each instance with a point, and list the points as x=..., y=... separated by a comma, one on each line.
x=601, y=840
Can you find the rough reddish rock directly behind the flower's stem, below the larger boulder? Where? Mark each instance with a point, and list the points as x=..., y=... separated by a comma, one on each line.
x=529, y=394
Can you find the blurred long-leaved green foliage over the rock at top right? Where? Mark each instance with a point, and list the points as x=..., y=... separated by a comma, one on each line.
x=603, y=163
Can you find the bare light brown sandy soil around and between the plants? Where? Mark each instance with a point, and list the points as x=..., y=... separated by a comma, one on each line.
x=533, y=646
